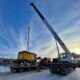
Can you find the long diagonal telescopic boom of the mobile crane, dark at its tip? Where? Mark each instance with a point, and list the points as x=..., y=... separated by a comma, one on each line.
x=55, y=35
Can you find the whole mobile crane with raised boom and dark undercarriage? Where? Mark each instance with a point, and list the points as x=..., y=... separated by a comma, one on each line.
x=65, y=63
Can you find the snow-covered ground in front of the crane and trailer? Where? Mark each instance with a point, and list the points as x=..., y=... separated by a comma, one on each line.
x=43, y=75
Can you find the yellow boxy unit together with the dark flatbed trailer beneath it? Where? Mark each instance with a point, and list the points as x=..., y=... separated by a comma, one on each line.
x=26, y=61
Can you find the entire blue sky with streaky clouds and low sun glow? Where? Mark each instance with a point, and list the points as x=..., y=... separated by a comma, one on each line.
x=17, y=15
